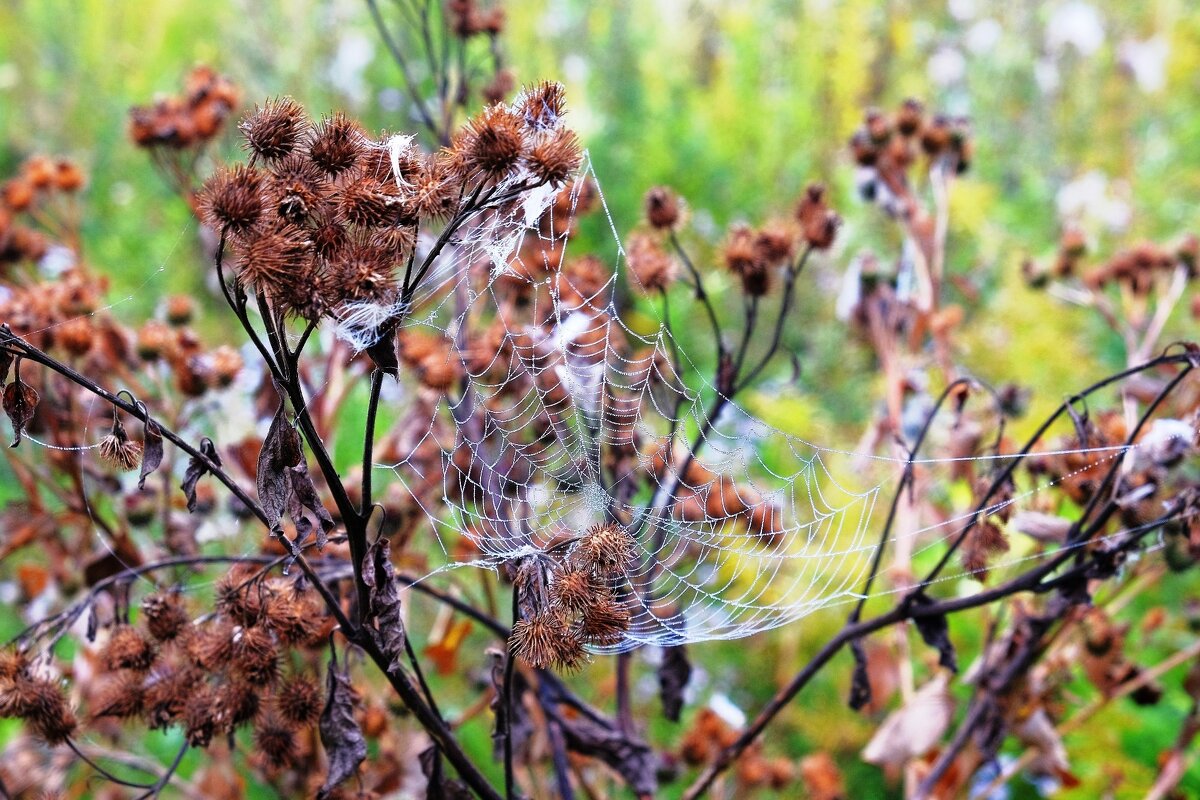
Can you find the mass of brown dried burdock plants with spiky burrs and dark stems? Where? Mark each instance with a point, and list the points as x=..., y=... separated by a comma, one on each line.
x=325, y=221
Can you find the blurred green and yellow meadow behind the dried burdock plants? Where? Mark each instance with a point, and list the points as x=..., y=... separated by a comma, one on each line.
x=1082, y=111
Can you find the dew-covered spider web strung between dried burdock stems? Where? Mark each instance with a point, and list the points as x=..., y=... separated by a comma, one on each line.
x=565, y=416
